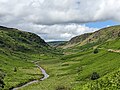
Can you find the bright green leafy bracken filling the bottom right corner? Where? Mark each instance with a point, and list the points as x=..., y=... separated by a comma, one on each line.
x=108, y=82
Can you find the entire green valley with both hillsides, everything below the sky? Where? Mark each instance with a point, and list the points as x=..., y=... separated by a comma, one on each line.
x=70, y=65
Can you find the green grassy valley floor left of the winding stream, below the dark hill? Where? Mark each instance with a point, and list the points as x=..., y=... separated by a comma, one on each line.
x=26, y=71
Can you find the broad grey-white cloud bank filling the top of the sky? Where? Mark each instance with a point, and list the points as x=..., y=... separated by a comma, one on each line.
x=60, y=11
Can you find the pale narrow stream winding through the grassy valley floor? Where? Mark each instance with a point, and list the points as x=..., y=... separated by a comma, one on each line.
x=35, y=81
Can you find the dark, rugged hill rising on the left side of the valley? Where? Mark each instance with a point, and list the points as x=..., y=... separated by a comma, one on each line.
x=16, y=40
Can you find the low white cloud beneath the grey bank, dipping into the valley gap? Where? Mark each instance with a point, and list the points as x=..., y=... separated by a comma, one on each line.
x=57, y=32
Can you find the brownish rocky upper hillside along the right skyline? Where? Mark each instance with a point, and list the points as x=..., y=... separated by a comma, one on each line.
x=98, y=37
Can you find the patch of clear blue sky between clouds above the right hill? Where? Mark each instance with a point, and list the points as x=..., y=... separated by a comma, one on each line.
x=102, y=24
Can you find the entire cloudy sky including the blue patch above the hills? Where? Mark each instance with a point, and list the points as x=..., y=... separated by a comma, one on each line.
x=59, y=19
